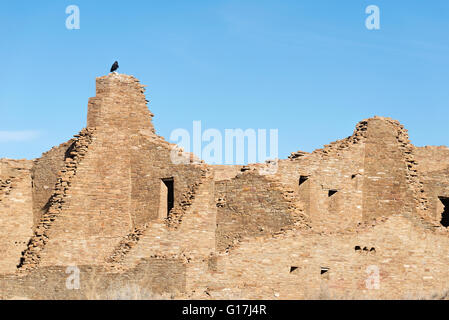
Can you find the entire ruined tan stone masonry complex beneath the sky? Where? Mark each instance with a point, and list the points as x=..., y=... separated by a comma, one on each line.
x=316, y=227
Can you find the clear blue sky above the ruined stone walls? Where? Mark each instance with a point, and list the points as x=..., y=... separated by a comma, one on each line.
x=308, y=68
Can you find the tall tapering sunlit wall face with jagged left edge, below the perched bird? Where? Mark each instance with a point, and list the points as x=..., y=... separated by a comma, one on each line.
x=91, y=207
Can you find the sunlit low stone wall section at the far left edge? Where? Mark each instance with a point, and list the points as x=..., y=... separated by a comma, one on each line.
x=16, y=211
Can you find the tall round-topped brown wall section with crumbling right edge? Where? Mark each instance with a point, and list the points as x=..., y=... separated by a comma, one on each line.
x=392, y=182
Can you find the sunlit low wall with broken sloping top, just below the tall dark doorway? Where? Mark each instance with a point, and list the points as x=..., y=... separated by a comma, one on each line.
x=192, y=237
